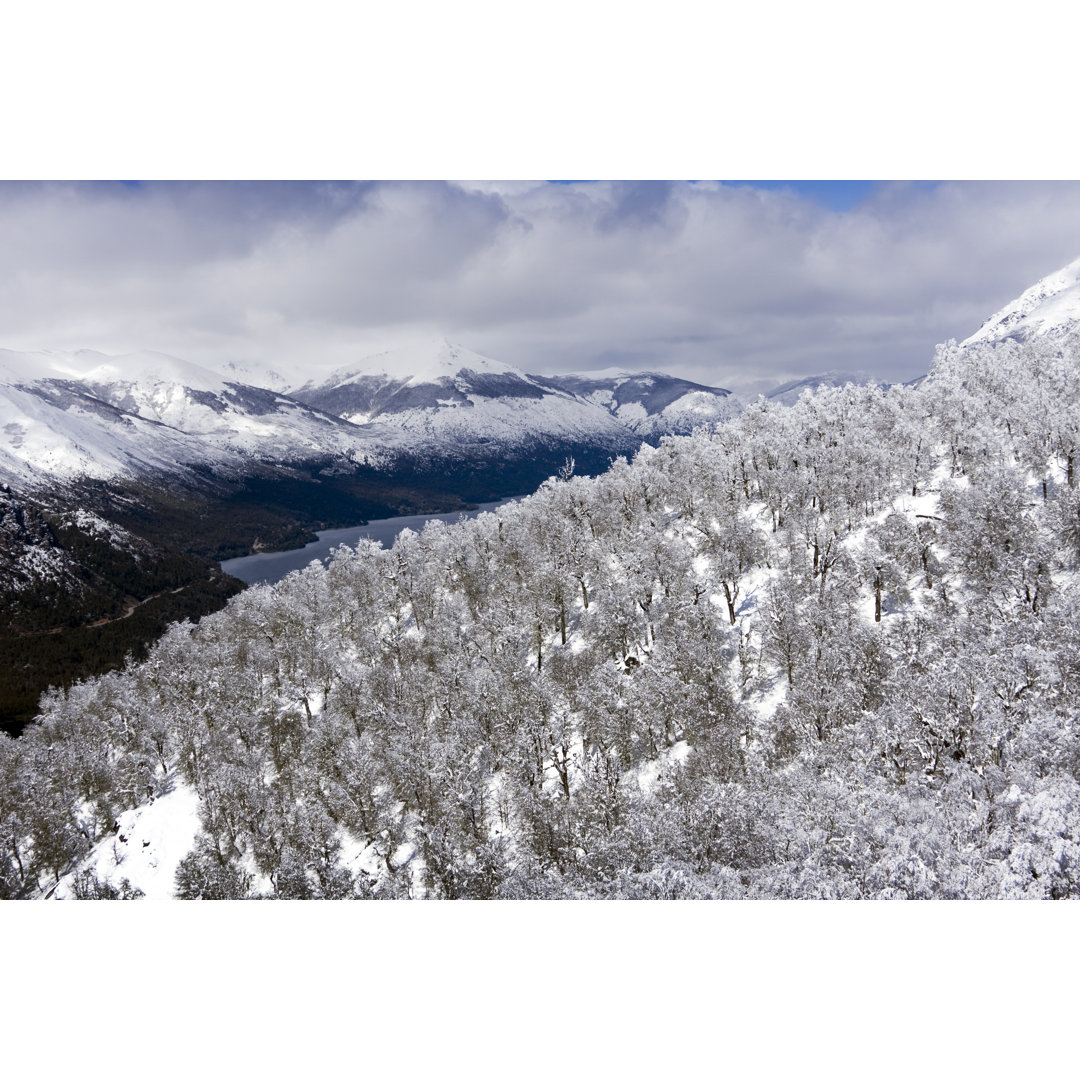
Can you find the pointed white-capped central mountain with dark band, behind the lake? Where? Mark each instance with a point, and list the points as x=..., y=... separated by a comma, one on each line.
x=453, y=398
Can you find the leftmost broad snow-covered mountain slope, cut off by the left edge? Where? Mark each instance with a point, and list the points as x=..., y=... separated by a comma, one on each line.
x=86, y=414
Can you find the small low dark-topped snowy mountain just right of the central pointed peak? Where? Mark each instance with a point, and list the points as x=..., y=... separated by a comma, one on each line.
x=650, y=403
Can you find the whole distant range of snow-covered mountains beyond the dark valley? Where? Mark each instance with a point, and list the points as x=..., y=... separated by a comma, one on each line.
x=85, y=414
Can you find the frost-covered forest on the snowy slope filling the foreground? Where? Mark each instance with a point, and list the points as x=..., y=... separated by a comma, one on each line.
x=828, y=651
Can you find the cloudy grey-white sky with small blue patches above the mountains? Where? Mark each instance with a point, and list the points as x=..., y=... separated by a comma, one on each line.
x=735, y=285
